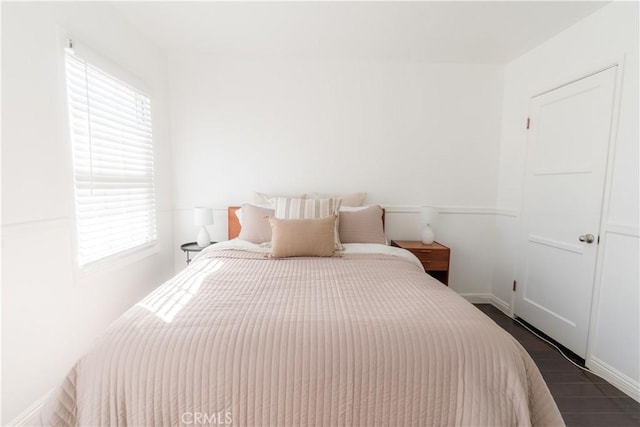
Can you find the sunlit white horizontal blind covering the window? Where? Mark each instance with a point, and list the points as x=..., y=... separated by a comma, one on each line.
x=113, y=162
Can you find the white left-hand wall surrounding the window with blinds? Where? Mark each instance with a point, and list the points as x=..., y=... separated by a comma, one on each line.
x=49, y=316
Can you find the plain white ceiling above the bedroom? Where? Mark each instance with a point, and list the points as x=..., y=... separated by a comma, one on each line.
x=468, y=32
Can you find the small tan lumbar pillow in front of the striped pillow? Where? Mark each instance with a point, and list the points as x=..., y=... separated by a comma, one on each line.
x=302, y=237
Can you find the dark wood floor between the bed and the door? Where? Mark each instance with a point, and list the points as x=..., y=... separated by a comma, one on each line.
x=584, y=399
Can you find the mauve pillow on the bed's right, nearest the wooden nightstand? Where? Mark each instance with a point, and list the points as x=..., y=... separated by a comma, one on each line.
x=362, y=226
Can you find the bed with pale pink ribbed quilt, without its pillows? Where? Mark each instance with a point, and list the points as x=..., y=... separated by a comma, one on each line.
x=362, y=338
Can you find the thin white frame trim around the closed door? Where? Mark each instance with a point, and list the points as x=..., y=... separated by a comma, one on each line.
x=604, y=225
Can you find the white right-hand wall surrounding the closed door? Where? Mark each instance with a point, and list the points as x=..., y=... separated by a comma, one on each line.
x=600, y=39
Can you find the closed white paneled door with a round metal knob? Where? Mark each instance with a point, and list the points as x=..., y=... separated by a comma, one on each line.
x=563, y=192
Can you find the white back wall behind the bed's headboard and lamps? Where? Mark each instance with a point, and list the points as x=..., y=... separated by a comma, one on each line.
x=408, y=133
